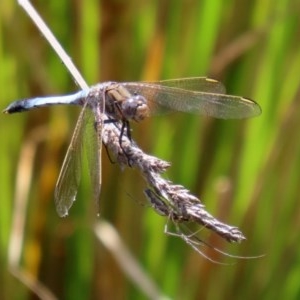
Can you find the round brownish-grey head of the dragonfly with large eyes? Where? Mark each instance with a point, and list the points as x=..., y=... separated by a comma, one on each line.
x=135, y=108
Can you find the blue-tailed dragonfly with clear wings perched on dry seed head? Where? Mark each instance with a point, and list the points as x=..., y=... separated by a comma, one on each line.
x=125, y=102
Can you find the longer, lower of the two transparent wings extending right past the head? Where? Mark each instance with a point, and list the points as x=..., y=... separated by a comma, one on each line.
x=164, y=98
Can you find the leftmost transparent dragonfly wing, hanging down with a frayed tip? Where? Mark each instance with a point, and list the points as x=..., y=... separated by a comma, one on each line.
x=70, y=174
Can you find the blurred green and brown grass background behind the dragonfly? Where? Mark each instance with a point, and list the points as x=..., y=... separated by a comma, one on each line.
x=245, y=172
